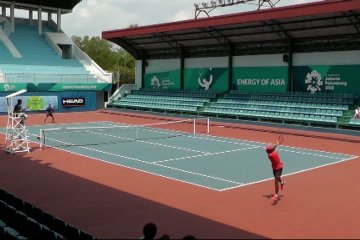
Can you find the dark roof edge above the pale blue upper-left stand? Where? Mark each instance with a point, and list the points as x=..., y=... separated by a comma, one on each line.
x=63, y=4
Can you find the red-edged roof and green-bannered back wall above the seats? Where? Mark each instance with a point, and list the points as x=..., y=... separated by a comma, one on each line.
x=270, y=50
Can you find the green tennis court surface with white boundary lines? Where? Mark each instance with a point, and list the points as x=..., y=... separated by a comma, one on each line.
x=207, y=161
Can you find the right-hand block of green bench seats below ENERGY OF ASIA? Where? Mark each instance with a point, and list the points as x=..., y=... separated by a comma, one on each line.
x=289, y=106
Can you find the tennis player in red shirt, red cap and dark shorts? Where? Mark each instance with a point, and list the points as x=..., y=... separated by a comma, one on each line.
x=277, y=166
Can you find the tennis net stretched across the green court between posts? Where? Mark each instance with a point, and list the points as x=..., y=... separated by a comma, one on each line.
x=113, y=133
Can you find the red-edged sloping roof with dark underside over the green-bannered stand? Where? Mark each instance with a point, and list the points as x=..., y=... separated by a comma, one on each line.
x=318, y=26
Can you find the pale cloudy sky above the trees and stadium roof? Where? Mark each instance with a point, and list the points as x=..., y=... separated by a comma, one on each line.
x=92, y=17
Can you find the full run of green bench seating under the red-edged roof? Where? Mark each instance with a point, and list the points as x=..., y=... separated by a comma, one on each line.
x=323, y=108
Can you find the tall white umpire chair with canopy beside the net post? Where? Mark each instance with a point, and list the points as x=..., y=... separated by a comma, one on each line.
x=16, y=135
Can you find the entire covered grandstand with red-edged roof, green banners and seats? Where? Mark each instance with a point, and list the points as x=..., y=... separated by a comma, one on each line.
x=297, y=63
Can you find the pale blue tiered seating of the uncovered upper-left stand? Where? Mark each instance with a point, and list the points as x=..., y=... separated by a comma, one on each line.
x=39, y=62
